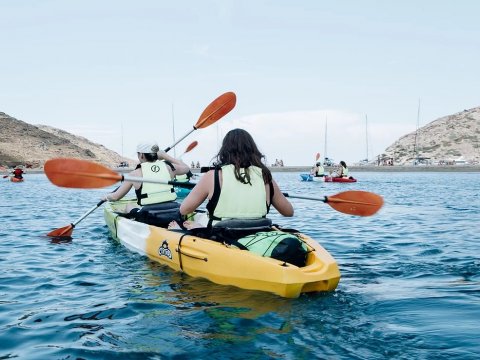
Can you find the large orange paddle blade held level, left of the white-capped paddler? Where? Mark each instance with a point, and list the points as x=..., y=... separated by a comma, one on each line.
x=76, y=173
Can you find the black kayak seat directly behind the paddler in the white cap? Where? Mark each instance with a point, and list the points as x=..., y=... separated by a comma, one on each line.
x=159, y=214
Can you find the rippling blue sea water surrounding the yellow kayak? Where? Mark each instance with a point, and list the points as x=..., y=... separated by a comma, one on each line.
x=410, y=286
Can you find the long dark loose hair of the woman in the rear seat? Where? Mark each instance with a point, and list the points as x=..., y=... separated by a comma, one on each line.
x=239, y=149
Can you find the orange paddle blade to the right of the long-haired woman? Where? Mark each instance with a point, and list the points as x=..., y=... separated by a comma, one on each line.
x=355, y=202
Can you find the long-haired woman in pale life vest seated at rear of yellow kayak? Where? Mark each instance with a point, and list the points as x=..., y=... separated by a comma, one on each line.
x=241, y=186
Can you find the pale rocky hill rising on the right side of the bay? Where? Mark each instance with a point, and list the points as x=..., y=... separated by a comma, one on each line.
x=447, y=140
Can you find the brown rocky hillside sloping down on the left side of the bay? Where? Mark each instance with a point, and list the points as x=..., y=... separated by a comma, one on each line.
x=31, y=145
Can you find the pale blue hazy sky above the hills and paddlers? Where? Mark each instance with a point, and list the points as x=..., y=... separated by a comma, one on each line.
x=117, y=72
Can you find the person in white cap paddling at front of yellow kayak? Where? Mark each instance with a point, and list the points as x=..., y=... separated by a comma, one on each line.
x=154, y=164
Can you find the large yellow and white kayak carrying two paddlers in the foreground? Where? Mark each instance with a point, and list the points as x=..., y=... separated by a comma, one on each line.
x=224, y=264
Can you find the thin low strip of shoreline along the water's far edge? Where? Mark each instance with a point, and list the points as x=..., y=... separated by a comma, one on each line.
x=353, y=169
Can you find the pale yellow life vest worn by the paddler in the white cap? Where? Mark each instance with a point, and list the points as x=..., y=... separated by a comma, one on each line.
x=156, y=193
